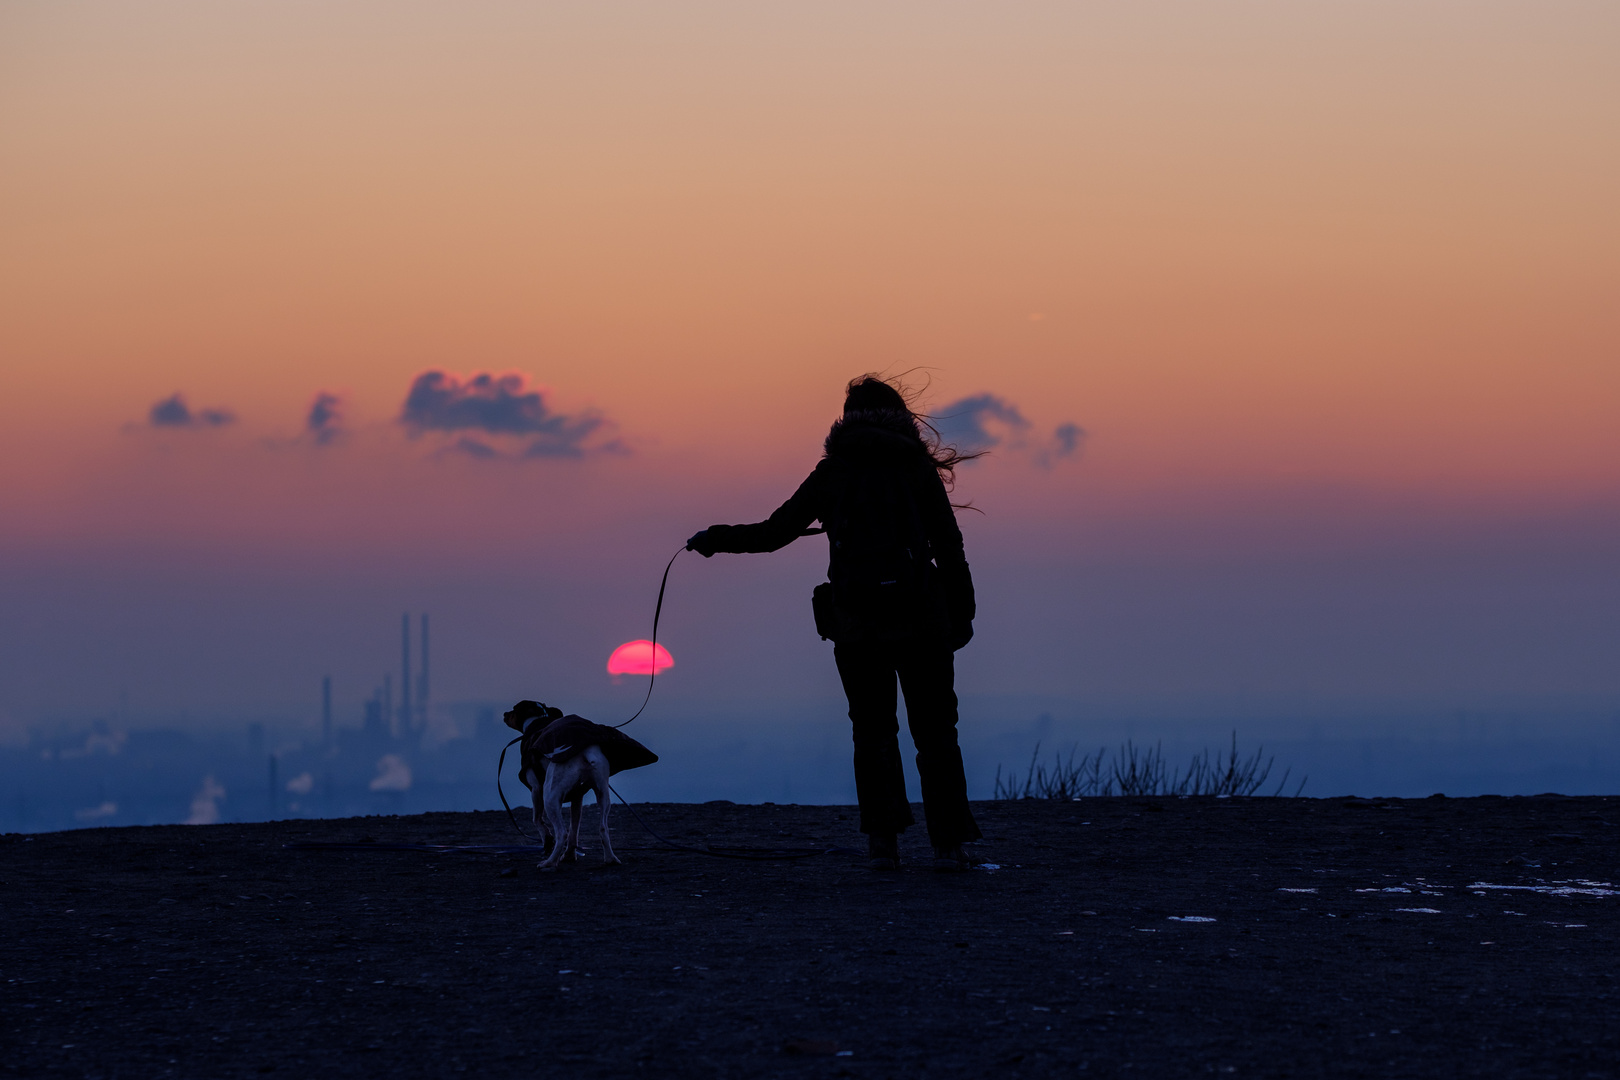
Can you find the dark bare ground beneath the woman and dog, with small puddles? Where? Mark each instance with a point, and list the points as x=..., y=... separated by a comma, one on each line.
x=215, y=951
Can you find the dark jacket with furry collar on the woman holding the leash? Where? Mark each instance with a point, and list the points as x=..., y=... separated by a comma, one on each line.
x=897, y=561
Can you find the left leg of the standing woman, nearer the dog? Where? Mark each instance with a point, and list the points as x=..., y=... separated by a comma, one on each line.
x=880, y=781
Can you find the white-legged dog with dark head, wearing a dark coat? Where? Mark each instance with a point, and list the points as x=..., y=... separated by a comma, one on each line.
x=566, y=757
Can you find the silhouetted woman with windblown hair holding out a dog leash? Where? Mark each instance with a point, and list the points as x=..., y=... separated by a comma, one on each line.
x=898, y=603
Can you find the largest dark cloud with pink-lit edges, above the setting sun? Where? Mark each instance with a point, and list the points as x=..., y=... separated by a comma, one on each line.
x=503, y=407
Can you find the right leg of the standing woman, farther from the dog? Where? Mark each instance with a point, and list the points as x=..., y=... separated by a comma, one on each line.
x=929, y=679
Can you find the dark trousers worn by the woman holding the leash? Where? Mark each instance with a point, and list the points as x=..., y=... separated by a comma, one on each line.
x=927, y=676
